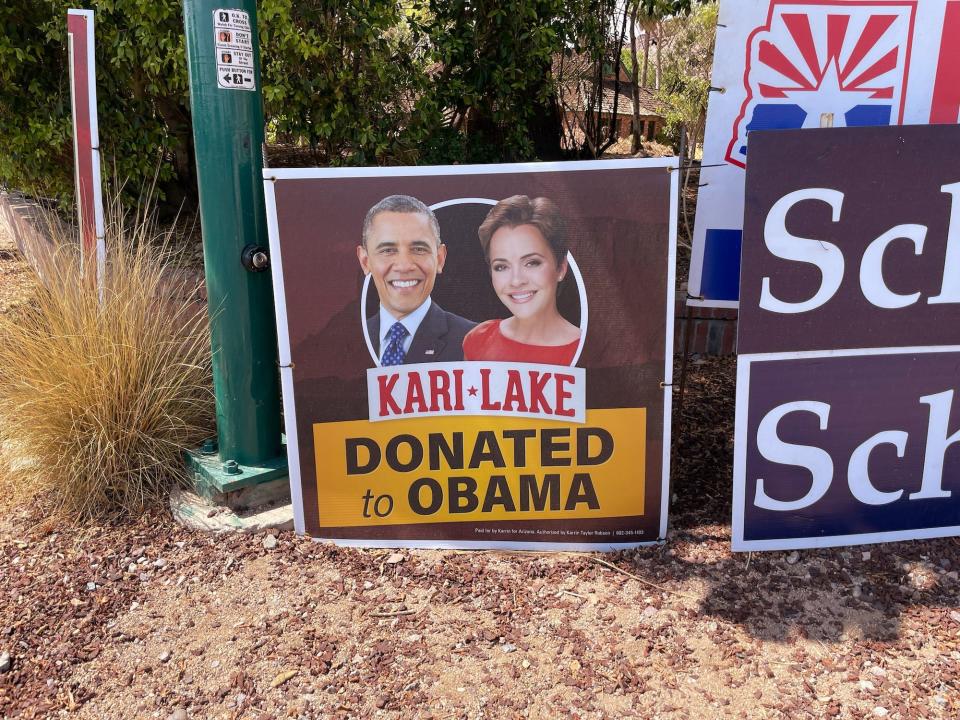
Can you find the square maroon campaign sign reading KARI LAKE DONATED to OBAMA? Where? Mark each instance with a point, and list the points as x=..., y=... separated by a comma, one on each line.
x=477, y=356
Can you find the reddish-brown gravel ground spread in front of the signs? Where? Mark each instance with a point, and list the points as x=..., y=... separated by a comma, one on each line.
x=150, y=620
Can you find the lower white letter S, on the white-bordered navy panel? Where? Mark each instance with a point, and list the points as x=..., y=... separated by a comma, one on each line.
x=816, y=460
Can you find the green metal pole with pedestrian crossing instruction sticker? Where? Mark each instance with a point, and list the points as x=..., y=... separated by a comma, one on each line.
x=228, y=132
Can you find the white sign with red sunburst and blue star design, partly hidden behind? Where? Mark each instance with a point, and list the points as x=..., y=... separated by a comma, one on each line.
x=810, y=64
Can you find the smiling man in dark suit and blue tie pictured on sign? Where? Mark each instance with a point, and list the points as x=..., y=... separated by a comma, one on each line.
x=402, y=251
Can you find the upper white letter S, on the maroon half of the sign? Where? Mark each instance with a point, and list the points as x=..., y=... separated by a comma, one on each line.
x=826, y=256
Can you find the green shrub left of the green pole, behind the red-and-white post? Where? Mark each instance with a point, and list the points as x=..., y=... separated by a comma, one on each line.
x=141, y=83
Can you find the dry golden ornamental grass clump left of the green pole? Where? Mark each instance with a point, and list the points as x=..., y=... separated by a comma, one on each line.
x=99, y=395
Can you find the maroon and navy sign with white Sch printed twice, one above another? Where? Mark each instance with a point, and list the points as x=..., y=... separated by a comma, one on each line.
x=848, y=415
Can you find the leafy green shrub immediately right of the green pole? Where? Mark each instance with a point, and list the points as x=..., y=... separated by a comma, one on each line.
x=342, y=76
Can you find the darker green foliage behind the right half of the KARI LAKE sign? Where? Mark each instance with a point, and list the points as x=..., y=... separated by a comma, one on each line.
x=494, y=72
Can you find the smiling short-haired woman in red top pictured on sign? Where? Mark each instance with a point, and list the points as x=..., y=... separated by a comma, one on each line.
x=524, y=243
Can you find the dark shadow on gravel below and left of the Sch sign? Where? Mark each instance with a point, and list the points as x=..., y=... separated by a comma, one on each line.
x=824, y=595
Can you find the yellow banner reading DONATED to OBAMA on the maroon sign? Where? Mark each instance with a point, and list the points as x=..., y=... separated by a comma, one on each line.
x=480, y=468
